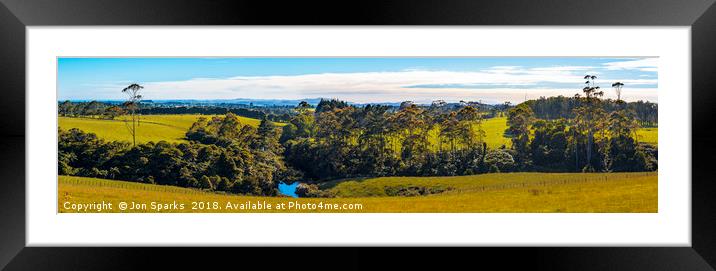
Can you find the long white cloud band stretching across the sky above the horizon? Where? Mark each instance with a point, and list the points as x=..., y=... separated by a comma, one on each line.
x=498, y=84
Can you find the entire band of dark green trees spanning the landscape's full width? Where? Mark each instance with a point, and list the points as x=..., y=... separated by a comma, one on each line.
x=335, y=139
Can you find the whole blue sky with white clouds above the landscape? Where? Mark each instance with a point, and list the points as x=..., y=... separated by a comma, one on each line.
x=359, y=80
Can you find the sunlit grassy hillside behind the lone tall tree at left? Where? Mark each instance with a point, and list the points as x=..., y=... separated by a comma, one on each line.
x=171, y=128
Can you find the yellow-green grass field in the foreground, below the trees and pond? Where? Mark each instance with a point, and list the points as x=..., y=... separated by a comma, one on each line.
x=487, y=193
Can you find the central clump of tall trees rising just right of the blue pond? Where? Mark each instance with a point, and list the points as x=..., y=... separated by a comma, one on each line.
x=338, y=140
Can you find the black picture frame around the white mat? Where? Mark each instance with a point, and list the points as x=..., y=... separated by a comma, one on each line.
x=700, y=15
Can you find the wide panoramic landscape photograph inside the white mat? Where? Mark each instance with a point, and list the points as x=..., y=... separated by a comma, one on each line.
x=357, y=135
